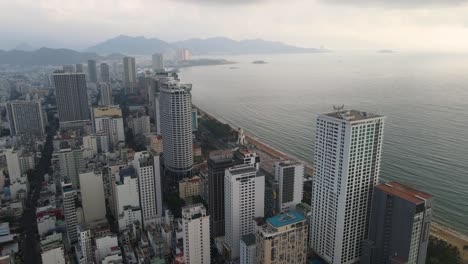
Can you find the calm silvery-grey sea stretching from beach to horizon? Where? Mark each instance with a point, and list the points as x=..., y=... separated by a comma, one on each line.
x=423, y=96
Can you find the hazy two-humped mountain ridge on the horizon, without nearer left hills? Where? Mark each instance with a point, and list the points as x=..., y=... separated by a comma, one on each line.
x=218, y=45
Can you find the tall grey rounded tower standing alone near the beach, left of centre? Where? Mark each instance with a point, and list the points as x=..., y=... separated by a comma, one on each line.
x=176, y=126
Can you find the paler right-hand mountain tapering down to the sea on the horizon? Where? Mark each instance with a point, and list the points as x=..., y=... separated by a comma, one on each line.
x=229, y=46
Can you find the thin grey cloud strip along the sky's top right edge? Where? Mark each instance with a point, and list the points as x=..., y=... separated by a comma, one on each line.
x=397, y=3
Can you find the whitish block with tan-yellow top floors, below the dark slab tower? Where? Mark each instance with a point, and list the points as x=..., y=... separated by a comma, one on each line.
x=108, y=119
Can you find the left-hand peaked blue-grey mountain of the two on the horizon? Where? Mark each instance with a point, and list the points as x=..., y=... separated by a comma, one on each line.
x=131, y=45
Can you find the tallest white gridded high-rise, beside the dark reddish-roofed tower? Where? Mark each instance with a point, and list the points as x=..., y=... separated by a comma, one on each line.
x=348, y=146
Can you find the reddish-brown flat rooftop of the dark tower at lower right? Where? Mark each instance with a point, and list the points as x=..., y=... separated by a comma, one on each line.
x=404, y=192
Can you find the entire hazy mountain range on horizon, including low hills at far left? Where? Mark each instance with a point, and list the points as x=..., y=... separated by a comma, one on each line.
x=115, y=47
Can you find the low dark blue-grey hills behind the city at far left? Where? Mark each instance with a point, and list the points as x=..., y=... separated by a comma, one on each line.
x=47, y=56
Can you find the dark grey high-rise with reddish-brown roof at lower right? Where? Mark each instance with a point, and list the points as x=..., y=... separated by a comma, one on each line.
x=399, y=226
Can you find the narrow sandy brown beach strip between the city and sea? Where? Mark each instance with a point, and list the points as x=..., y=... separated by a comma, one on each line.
x=437, y=230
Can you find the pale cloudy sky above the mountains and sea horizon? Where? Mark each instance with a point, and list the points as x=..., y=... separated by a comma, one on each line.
x=414, y=25
